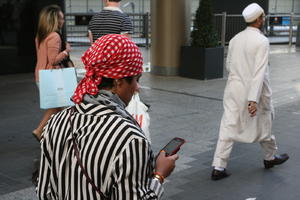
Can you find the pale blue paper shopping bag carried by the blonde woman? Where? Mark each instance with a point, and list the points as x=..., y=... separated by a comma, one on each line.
x=57, y=87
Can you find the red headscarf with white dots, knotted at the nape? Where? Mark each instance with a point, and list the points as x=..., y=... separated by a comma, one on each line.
x=111, y=56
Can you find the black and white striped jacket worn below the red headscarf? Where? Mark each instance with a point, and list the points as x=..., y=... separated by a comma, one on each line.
x=114, y=151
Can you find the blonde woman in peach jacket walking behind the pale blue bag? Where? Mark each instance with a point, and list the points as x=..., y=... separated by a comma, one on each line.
x=49, y=51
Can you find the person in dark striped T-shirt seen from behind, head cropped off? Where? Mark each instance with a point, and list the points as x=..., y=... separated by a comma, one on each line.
x=111, y=20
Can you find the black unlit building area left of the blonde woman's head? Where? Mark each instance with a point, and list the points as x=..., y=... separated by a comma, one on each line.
x=18, y=22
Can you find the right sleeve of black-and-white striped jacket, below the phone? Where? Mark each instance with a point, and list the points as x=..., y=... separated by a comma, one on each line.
x=133, y=173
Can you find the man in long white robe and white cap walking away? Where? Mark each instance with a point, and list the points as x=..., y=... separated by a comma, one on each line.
x=248, y=110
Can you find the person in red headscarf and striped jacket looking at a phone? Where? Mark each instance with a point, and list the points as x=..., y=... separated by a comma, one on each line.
x=95, y=149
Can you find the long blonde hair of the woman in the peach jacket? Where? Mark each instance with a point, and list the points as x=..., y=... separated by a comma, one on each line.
x=48, y=22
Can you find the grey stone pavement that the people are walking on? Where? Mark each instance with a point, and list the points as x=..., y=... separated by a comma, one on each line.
x=181, y=107
